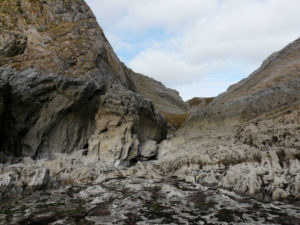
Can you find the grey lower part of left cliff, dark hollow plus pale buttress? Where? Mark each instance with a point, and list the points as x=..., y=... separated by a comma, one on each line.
x=53, y=114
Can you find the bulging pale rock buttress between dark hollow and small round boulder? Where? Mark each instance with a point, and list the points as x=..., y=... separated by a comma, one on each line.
x=122, y=123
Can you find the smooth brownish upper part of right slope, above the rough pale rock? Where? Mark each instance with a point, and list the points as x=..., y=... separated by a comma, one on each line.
x=275, y=84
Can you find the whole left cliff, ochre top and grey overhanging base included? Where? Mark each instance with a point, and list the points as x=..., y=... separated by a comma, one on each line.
x=62, y=87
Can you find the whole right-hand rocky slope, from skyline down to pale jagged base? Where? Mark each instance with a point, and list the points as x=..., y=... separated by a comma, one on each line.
x=246, y=139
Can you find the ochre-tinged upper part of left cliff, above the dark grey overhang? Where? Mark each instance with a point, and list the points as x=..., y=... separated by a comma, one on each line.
x=64, y=37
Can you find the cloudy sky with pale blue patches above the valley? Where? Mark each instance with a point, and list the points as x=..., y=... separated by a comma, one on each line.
x=198, y=47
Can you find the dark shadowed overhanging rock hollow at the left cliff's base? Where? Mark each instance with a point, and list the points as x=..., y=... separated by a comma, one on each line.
x=46, y=113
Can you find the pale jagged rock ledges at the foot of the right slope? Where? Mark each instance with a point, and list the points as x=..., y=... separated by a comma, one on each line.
x=220, y=160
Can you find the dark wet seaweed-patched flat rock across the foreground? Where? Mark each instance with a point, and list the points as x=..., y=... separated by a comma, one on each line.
x=144, y=201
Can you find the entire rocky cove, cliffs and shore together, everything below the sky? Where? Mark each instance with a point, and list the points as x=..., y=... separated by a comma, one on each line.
x=85, y=140
